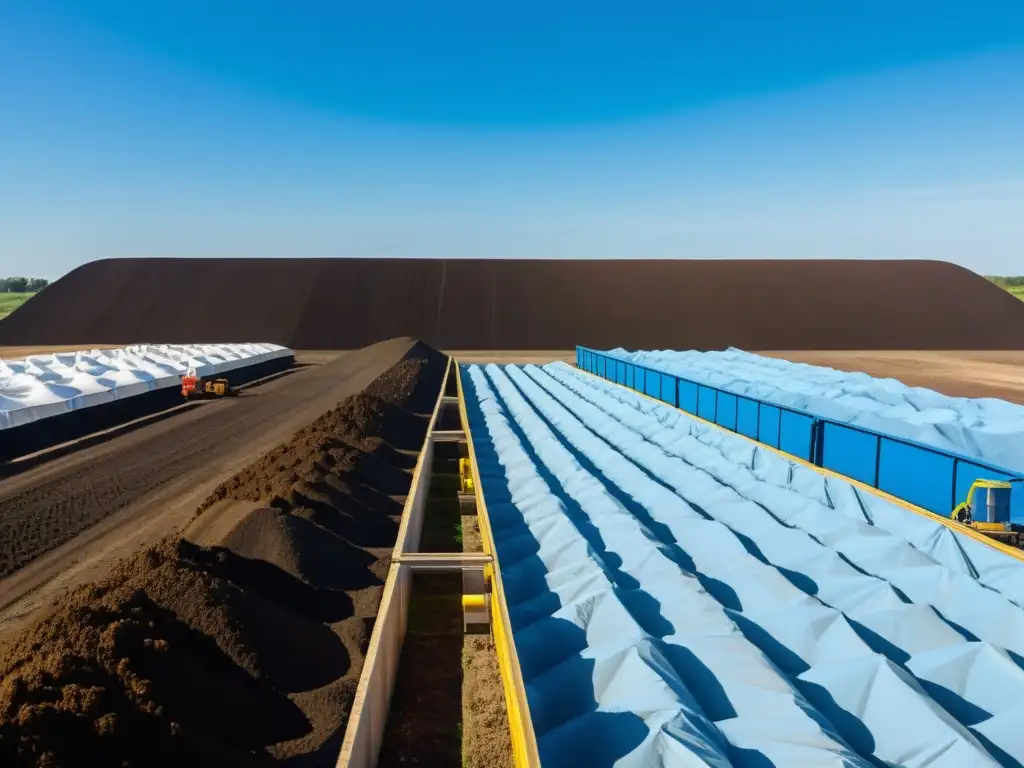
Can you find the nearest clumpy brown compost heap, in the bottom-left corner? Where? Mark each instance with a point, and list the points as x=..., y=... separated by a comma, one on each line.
x=148, y=668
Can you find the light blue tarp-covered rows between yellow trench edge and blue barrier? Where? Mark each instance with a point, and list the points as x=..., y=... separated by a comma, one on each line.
x=681, y=598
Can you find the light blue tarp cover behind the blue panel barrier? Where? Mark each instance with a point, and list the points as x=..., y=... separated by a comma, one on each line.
x=983, y=429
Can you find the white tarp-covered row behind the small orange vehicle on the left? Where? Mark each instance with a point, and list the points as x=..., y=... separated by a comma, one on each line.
x=44, y=386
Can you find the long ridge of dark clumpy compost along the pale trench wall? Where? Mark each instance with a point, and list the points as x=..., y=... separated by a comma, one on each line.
x=241, y=642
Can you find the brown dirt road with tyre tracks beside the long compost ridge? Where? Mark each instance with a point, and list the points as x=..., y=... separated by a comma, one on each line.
x=66, y=522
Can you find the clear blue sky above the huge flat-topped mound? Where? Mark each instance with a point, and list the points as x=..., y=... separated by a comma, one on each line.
x=748, y=129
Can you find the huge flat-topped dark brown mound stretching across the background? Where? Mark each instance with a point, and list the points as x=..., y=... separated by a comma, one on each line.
x=527, y=305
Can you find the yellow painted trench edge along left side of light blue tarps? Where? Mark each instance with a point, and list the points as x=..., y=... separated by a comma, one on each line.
x=525, y=750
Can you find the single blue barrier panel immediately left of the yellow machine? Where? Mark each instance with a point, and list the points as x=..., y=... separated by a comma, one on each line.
x=921, y=477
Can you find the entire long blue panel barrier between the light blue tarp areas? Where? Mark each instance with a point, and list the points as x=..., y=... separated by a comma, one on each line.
x=924, y=476
